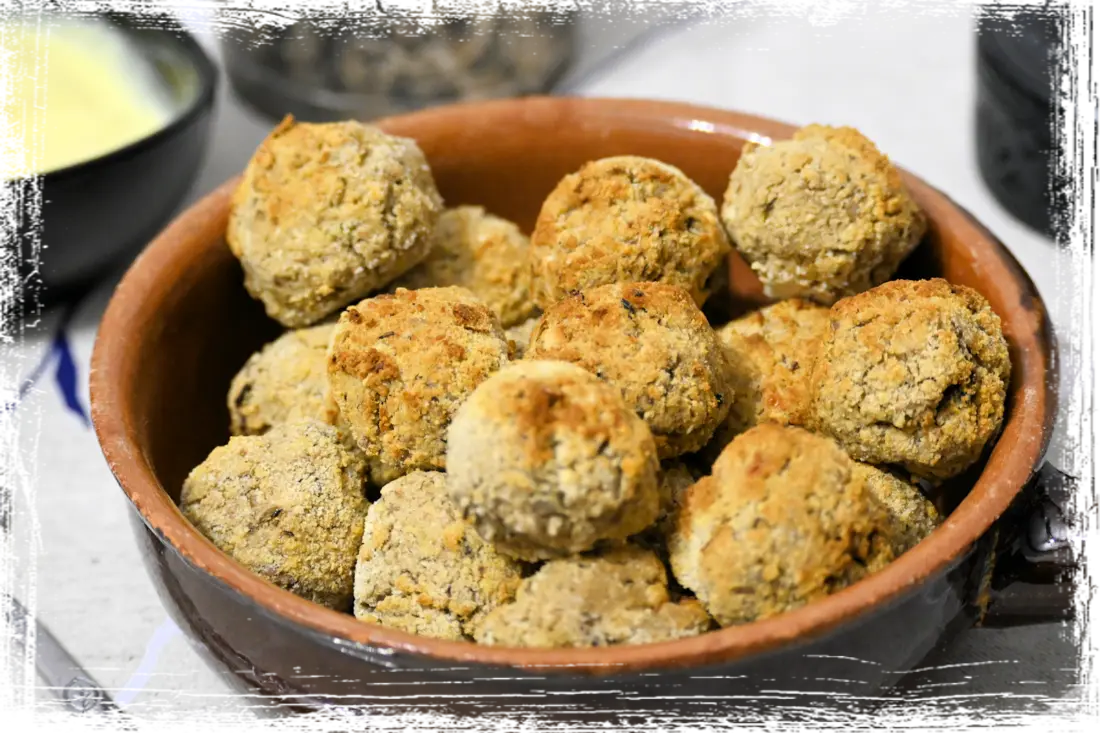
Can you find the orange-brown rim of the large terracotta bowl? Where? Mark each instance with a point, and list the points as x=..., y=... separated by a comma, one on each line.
x=1018, y=454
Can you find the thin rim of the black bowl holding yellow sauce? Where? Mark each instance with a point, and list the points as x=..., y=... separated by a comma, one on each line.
x=203, y=102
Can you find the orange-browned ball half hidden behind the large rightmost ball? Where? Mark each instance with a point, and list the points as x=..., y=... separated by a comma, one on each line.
x=772, y=354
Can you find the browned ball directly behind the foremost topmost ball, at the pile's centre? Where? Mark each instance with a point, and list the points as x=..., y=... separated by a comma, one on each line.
x=653, y=343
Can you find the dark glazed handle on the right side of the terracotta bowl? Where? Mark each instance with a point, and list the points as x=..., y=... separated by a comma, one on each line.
x=1046, y=566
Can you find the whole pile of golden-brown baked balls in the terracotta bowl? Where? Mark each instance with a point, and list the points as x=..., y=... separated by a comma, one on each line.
x=475, y=435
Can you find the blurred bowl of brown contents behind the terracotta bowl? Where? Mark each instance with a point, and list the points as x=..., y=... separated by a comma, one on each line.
x=329, y=60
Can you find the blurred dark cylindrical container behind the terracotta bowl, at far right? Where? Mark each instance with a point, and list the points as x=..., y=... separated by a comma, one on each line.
x=1039, y=114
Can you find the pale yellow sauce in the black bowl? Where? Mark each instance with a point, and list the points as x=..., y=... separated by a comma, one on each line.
x=71, y=90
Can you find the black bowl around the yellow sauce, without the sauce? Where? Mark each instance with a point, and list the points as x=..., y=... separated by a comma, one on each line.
x=63, y=229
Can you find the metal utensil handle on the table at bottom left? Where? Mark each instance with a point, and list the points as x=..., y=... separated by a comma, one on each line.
x=85, y=702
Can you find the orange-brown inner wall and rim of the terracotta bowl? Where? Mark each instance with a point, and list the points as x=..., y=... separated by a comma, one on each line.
x=181, y=325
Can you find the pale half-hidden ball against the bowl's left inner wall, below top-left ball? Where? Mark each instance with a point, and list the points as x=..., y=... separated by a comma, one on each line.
x=284, y=382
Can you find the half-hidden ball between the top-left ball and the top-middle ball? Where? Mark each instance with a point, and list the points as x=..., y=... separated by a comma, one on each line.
x=486, y=255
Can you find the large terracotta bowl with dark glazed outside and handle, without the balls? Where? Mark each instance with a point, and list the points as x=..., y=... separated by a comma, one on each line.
x=181, y=325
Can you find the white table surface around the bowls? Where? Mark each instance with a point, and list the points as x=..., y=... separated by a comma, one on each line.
x=901, y=71
